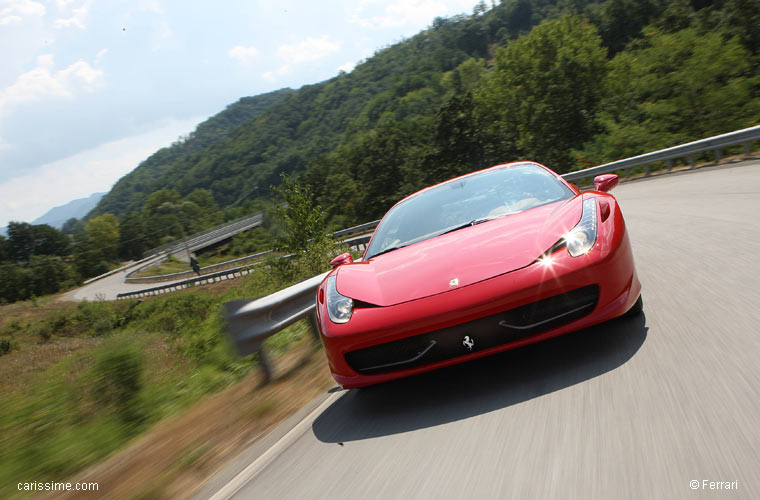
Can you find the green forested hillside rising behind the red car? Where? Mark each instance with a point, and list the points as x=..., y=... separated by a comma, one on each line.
x=566, y=82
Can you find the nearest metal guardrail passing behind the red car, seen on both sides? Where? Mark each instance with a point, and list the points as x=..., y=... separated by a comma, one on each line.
x=251, y=321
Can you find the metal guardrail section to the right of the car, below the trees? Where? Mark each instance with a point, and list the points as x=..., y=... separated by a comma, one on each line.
x=743, y=137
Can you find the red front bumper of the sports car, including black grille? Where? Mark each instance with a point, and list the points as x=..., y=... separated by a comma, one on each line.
x=439, y=324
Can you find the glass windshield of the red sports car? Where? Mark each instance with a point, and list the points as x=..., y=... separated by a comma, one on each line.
x=464, y=202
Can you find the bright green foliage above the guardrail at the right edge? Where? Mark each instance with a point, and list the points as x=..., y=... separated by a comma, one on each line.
x=672, y=89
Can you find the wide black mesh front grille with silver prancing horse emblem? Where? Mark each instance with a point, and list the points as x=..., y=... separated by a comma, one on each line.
x=484, y=333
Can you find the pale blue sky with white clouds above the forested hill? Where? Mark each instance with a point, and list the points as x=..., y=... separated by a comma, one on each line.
x=88, y=89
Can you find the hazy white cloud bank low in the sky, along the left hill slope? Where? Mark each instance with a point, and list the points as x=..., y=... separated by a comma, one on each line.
x=85, y=173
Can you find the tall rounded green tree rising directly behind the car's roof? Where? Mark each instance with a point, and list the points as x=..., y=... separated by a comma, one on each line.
x=544, y=90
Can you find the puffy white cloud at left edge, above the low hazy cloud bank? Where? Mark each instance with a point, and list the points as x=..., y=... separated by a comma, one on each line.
x=43, y=83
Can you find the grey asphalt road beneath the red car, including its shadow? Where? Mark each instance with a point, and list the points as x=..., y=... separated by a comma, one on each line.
x=635, y=408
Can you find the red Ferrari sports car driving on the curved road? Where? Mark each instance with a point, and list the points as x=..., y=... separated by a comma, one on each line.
x=482, y=263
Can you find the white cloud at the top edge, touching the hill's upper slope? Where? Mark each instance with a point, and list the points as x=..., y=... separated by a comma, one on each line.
x=399, y=13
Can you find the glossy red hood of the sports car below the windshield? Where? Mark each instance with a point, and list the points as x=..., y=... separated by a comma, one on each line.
x=459, y=258
